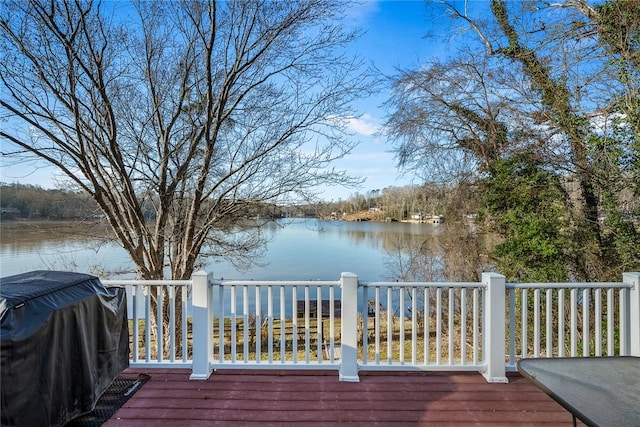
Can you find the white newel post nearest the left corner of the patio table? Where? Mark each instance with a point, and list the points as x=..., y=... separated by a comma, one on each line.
x=494, y=327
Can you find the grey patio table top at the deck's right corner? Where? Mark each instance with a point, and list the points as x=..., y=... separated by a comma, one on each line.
x=599, y=391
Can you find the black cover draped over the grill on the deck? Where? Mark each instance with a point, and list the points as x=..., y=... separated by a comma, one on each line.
x=64, y=340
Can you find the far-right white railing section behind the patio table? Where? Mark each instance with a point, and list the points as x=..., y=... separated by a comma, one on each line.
x=573, y=319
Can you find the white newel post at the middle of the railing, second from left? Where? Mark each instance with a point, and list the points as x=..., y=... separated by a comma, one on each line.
x=349, y=328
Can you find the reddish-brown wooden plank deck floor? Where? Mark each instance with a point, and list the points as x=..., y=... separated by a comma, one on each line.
x=288, y=398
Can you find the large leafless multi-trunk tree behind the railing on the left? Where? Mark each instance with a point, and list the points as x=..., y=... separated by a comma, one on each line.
x=177, y=117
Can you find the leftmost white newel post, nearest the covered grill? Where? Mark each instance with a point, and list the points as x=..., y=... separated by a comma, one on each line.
x=202, y=326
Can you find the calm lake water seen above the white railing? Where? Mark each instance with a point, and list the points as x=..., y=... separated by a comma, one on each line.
x=299, y=249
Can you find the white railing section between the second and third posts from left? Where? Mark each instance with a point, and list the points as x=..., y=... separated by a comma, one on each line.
x=437, y=325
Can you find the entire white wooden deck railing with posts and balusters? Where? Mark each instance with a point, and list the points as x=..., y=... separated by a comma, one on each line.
x=349, y=325
